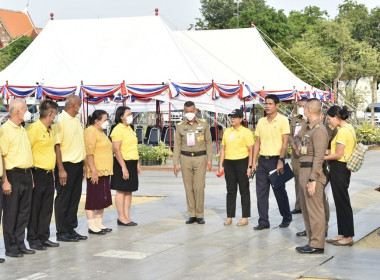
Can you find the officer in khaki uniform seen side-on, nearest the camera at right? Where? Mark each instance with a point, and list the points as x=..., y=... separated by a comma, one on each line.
x=312, y=179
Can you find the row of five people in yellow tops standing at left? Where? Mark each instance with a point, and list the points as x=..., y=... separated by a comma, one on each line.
x=56, y=154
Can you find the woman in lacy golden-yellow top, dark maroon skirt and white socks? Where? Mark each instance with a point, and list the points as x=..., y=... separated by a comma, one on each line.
x=99, y=161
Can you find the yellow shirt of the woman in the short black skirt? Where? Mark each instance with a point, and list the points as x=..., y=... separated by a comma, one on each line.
x=129, y=141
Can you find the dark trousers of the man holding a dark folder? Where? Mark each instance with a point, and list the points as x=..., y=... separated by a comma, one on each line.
x=262, y=192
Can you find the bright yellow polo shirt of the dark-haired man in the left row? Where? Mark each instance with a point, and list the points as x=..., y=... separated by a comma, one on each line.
x=42, y=142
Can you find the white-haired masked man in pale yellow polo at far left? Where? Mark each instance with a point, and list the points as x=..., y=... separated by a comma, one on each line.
x=17, y=184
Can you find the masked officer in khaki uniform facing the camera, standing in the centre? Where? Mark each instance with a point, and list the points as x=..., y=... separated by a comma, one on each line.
x=193, y=149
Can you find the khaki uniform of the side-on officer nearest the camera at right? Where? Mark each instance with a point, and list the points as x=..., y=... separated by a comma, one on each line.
x=314, y=145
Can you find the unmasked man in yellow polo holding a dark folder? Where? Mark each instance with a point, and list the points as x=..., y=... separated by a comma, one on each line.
x=272, y=136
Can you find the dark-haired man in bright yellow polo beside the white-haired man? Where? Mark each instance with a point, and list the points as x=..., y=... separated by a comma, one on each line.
x=42, y=141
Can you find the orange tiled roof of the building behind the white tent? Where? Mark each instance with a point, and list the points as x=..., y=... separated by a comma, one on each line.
x=17, y=23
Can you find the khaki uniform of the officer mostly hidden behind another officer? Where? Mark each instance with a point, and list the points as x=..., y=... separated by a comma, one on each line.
x=295, y=127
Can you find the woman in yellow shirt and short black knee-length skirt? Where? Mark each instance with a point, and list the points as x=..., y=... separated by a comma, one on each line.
x=126, y=164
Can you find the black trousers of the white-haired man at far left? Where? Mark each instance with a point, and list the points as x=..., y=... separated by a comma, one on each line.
x=17, y=210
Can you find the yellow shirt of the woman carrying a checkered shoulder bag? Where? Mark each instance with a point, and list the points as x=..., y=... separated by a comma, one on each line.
x=346, y=137
